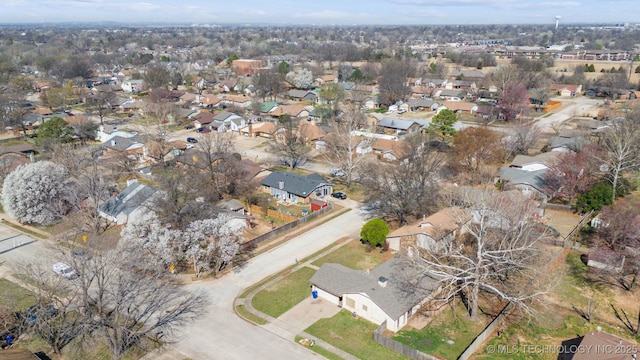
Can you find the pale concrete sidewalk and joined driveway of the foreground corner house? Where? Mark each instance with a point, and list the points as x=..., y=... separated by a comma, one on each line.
x=304, y=318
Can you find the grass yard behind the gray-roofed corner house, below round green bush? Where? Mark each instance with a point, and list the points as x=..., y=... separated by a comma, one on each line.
x=355, y=256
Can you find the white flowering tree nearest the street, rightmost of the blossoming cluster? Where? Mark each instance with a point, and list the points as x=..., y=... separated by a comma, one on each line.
x=212, y=243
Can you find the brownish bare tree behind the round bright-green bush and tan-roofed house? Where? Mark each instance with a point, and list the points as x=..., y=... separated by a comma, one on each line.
x=407, y=189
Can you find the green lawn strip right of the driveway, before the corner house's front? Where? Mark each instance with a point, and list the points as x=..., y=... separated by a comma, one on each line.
x=352, y=335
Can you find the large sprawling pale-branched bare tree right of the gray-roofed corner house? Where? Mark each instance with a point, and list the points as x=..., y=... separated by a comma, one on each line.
x=496, y=254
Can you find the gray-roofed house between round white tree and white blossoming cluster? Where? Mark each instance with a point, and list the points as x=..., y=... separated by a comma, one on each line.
x=131, y=202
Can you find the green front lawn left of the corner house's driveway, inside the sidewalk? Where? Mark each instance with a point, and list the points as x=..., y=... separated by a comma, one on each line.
x=276, y=299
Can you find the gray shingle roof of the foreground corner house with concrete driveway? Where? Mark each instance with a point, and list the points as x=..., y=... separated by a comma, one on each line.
x=393, y=299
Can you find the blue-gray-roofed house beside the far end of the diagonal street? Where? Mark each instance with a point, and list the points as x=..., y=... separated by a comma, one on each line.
x=294, y=188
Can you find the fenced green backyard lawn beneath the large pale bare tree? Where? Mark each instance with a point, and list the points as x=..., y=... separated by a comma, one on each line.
x=451, y=324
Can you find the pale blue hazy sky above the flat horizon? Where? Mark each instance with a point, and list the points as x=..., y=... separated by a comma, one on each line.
x=322, y=12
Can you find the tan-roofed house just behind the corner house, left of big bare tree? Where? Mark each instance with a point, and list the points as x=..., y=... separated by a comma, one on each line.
x=434, y=233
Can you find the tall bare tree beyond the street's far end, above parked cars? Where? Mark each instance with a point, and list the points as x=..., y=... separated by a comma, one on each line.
x=344, y=148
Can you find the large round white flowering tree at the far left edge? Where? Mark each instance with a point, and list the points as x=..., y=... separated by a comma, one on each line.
x=37, y=193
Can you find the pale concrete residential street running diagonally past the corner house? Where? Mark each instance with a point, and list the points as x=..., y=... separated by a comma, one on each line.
x=221, y=334
